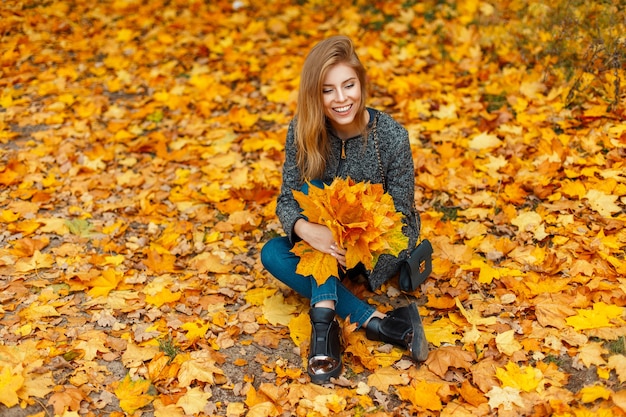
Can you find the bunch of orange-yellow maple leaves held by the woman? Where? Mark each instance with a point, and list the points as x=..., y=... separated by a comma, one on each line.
x=363, y=220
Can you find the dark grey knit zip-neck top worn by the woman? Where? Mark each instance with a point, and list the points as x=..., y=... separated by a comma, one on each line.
x=361, y=163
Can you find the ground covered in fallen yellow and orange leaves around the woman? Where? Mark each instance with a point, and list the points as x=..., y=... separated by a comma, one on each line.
x=141, y=147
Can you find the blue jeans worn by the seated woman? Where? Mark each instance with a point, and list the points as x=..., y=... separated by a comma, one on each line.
x=277, y=258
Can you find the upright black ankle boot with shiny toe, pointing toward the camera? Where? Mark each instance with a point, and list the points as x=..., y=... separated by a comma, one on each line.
x=325, y=351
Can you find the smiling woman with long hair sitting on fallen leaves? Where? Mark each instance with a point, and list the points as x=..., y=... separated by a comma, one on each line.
x=332, y=136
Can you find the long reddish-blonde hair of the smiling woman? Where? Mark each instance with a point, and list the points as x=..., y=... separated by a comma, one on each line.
x=312, y=142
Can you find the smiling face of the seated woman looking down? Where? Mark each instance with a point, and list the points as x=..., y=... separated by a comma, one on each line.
x=341, y=92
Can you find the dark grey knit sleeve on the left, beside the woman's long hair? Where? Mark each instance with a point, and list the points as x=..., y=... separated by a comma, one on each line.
x=287, y=208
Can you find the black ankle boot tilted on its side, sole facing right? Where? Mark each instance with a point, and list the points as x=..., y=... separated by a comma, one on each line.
x=402, y=327
